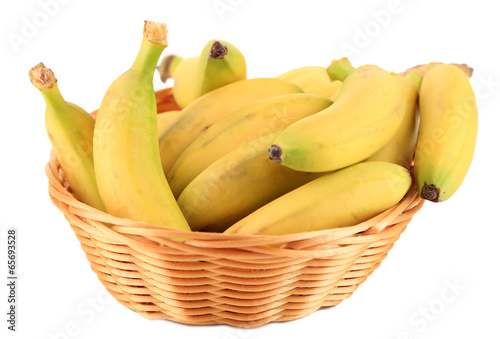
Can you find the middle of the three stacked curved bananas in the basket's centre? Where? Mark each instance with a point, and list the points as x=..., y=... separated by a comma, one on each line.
x=263, y=117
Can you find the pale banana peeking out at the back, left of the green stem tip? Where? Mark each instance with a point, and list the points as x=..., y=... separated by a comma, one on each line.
x=312, y=80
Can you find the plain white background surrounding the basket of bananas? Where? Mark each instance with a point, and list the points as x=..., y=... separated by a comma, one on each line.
x=89, y=43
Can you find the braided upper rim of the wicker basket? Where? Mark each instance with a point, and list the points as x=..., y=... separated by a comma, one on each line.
x=129, y=229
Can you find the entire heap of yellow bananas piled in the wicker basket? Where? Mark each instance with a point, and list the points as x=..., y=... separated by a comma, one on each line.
x=311, y=149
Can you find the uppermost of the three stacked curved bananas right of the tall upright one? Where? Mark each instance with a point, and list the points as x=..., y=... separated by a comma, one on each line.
x=211, y=107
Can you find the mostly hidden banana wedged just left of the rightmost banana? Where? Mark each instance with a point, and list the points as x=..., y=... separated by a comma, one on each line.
x=401, y=149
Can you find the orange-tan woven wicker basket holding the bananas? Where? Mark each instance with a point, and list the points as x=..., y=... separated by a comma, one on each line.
x=237, y=280
